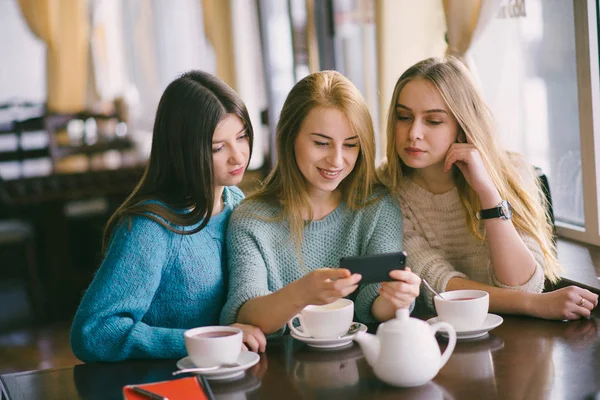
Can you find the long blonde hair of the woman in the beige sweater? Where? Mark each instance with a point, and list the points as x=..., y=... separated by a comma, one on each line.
x=475, y=121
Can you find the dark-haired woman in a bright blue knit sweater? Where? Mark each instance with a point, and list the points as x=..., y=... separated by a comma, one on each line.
x=163, y=270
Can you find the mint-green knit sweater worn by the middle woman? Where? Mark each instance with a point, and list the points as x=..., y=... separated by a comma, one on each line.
x=263, y=259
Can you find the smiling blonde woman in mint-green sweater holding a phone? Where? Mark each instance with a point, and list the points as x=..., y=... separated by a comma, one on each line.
x=320, y=203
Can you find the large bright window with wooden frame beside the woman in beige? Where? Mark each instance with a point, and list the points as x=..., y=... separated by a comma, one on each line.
x=539, y=74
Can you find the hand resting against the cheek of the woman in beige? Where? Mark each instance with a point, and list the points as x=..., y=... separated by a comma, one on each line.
x=468, y=159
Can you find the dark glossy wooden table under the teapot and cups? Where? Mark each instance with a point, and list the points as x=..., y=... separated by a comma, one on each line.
x=524, y=358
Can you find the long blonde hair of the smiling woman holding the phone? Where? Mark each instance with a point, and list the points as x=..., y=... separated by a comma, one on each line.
x=285, y=185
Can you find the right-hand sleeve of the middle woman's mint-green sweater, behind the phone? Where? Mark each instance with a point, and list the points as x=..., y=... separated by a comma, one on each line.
x=386, y=237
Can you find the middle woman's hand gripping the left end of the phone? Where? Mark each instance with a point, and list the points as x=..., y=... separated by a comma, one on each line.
x=326, y=285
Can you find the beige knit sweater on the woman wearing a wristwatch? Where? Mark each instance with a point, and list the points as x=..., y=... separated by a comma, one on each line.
x=440, y=245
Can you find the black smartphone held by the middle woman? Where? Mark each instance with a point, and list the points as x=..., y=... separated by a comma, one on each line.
x=375, y=267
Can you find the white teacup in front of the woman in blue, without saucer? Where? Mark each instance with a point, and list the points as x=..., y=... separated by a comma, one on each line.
x=208, y=346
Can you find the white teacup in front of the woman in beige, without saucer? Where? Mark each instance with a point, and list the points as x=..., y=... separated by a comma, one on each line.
x=463, y=309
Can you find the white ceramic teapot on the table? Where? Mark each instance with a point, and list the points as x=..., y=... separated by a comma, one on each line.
x=404, y=352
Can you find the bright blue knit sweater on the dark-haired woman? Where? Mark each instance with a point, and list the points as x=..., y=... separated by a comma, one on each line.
x=153, y=285
